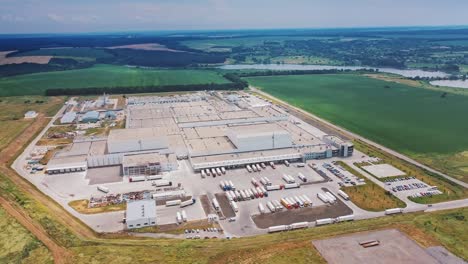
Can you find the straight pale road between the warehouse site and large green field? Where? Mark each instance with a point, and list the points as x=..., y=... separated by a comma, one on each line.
x=353, y=135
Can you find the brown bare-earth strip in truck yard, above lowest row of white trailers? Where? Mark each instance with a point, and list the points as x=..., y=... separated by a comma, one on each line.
x=307, y=214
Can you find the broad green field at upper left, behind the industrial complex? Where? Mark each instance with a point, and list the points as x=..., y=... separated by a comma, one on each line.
x=103, y=76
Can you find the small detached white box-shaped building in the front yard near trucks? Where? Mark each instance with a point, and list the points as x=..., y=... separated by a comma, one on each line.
x=141, y=213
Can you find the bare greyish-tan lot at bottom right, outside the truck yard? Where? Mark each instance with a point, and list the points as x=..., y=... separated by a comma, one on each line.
x=394, y=247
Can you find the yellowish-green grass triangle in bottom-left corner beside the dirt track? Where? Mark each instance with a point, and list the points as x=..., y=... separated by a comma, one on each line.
x=17, y=245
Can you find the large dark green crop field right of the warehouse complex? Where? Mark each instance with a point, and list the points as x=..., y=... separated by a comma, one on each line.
x=412, y=120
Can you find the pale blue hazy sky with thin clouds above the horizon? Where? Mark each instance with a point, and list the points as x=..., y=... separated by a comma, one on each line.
x=44, y=16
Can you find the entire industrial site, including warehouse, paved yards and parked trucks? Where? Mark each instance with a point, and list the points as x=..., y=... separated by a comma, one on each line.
x=230, y=160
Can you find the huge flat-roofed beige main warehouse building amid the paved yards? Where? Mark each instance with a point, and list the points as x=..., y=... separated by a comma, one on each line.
x=210, y=130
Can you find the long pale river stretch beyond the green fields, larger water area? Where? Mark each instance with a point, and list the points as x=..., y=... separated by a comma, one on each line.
x=296, y=67
